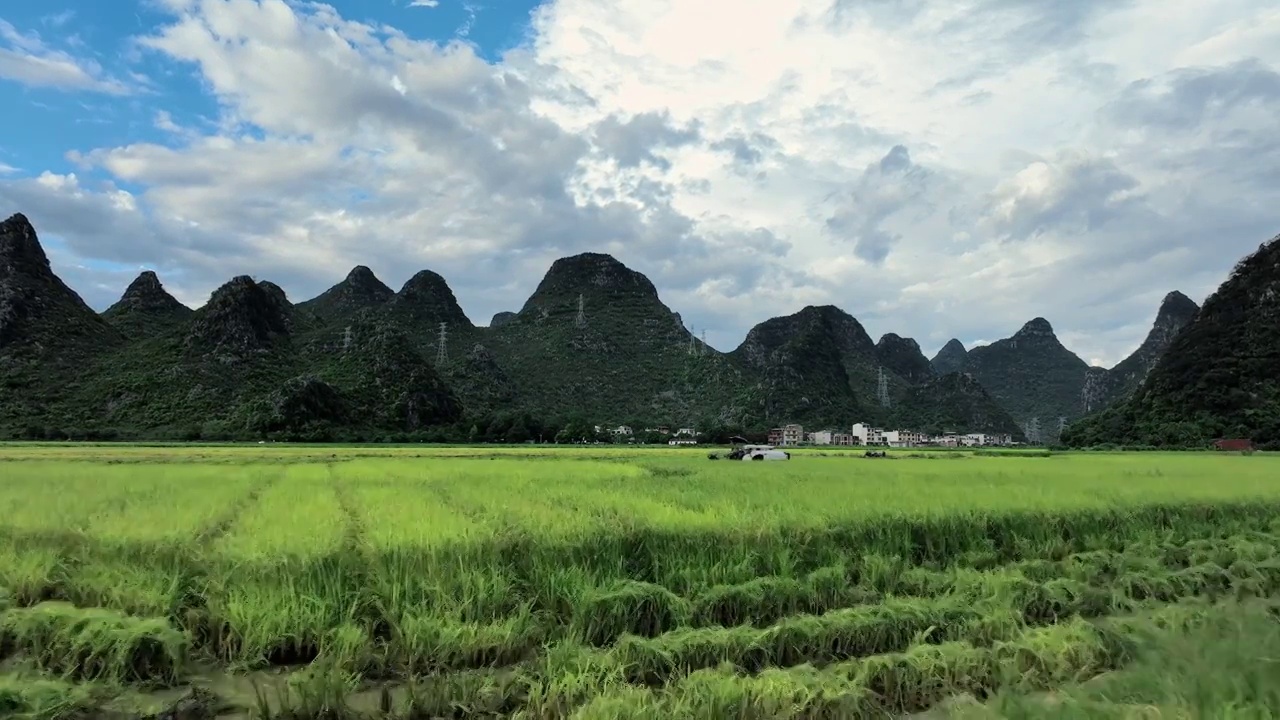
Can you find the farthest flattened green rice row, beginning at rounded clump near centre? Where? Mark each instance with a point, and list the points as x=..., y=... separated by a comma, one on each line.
x=1091, y=584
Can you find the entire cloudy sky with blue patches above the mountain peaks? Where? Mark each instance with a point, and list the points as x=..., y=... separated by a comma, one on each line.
x=938, y=170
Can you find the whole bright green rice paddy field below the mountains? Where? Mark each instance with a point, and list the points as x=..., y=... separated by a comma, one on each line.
x=318, y=582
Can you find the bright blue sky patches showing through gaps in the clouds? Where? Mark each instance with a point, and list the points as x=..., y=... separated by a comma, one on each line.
x=56, y=121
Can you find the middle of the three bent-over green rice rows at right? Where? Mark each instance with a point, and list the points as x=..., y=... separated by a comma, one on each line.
x=980, y=608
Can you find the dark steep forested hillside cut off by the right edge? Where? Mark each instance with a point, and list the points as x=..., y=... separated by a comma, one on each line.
x=1218, y=377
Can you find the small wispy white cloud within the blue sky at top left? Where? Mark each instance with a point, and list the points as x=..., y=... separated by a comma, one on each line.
x=26, y=58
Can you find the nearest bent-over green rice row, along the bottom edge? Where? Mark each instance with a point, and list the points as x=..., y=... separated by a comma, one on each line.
x=574, y=681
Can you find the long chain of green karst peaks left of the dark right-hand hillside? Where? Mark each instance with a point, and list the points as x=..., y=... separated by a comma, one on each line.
x=593, y=344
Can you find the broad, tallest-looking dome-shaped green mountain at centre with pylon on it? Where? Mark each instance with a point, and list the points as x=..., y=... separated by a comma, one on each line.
x=595, y=340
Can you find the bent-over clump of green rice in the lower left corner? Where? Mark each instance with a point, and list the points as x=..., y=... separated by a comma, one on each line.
x=95, y=644
